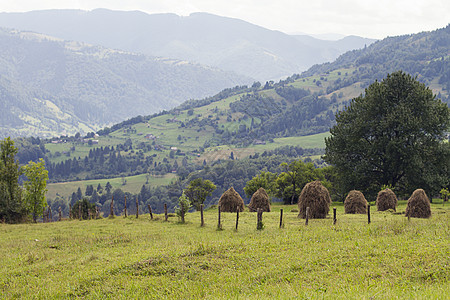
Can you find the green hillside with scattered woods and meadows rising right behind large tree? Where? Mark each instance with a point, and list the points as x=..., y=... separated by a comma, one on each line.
x=289, y=118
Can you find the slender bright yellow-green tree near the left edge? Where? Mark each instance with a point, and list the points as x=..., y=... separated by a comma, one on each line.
x=35, y=187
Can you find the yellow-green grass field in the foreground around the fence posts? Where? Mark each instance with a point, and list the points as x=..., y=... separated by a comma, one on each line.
x=139, y=258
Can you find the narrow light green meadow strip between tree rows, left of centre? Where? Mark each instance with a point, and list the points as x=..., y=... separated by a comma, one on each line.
x=133, y=185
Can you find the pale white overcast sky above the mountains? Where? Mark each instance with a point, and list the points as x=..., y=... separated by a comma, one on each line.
x=368, y=18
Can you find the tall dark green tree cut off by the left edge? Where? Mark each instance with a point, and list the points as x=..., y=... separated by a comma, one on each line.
x=12, y=208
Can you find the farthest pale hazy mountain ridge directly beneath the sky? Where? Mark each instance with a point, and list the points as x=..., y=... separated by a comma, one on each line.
x=225, y=43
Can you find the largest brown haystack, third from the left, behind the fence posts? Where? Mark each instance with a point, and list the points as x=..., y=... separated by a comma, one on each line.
x=315, y=196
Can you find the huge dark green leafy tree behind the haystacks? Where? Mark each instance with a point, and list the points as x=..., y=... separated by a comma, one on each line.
x=391, y=135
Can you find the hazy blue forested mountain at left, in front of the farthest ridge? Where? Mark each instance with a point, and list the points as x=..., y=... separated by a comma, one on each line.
x=50, y=86
